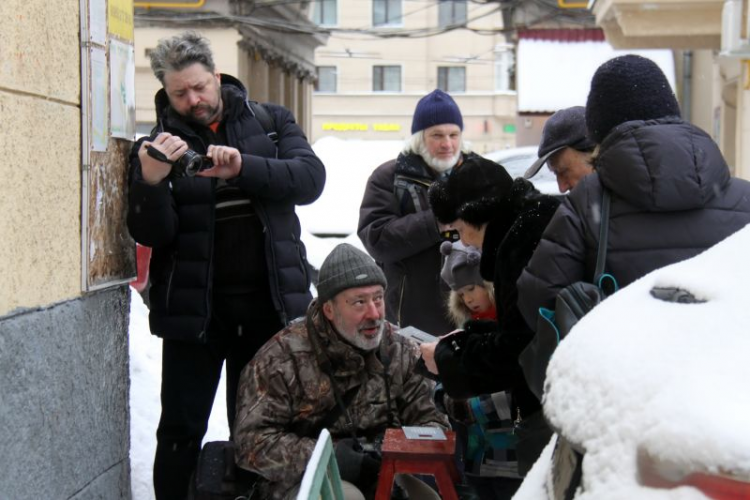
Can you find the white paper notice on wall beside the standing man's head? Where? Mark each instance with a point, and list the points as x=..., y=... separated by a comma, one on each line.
x=122, y=90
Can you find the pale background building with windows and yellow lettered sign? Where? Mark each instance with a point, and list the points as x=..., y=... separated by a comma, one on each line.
x=383, y=55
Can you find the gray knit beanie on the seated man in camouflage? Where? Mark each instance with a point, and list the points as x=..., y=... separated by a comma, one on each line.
x=347, y=267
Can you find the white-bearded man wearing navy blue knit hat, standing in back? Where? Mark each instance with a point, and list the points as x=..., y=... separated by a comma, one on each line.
x=396, y=223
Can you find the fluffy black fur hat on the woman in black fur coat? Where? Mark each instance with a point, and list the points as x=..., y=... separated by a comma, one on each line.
x=472, y=192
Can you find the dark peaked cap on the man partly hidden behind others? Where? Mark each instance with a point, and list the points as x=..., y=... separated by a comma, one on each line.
x=564, y=129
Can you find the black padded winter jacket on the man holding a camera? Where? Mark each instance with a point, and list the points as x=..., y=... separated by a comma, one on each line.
x=176, y=216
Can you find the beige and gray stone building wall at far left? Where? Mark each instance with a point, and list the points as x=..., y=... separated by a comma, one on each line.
x=64, y=424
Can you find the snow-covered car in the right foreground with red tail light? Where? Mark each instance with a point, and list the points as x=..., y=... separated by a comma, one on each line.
x=650, y=389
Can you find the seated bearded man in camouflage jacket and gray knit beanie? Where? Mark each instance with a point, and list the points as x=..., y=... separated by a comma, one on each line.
x=342, y=368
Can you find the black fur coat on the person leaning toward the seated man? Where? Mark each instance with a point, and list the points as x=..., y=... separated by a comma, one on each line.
x=484, y=358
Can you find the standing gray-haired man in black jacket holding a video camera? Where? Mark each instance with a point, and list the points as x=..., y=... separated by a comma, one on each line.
x=214, y=194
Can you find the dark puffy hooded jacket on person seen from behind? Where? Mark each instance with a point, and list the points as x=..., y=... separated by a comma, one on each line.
x=672, y=198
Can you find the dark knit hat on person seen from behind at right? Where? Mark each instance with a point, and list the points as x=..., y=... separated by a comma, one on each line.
x=624, y=89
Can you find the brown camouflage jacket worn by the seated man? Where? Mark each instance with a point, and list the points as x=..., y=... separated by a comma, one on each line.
x=285, y=396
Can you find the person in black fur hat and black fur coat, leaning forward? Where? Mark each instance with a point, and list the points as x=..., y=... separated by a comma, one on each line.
x=504, y=218
